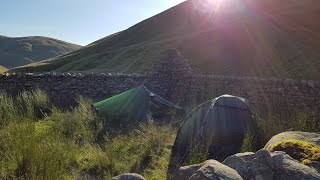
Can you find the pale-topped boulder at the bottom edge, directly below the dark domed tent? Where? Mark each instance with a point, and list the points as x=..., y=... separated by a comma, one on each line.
x=210, y=169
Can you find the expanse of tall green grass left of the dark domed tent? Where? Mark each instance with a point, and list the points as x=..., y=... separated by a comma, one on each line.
x=66, y=144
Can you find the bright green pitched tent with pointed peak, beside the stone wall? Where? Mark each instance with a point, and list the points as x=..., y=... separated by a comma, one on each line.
x=136, y=104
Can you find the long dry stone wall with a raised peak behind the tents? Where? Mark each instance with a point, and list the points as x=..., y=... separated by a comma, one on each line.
x=172, y=78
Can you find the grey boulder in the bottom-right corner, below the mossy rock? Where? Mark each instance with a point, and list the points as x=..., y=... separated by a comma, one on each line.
x=285, y=167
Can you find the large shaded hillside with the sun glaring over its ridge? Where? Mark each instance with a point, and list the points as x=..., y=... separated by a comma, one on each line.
x=248, y=37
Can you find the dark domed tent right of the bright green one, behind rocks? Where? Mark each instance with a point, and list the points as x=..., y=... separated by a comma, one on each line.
x=218, y=126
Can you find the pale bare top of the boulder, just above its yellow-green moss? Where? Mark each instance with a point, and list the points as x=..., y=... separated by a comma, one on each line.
x=305, y=136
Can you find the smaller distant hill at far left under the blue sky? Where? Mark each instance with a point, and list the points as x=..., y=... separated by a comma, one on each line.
x=24, y=50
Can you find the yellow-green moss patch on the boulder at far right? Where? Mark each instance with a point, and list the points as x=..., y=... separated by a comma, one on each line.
x=303, y=151
